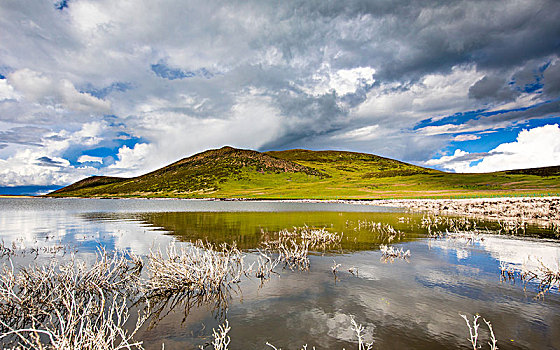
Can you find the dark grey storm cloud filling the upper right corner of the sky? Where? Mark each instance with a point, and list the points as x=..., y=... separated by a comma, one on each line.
x=412, y=38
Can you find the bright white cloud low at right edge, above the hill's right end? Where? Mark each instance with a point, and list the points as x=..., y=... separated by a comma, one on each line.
x=537, y=147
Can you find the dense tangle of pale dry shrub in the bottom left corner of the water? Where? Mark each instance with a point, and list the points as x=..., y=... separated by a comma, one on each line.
x=69, y=305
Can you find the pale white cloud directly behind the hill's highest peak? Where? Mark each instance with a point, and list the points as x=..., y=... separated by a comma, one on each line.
x=176, y=135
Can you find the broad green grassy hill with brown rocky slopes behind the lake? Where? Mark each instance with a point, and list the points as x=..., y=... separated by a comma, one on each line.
x=234, y=173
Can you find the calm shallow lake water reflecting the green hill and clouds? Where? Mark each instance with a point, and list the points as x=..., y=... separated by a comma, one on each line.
x=412, y=304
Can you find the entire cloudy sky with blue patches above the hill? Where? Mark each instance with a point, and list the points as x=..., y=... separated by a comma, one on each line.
x=120, y=88
